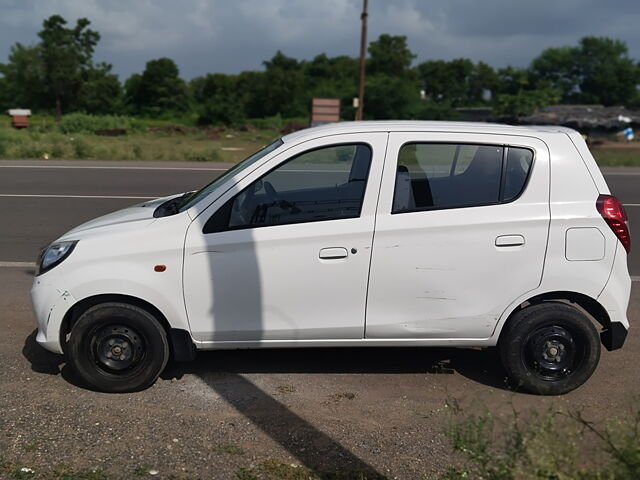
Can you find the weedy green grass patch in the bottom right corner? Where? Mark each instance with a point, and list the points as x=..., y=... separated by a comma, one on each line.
x=554, y=444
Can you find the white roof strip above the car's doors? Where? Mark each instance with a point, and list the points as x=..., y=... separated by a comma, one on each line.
x=421, y=126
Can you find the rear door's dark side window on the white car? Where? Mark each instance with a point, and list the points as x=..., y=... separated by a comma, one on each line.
x=437, y=175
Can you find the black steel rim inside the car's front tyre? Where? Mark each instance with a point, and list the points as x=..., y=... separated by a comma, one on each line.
x=118, y=348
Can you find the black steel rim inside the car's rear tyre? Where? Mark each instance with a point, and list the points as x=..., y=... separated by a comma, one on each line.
x=552, y=352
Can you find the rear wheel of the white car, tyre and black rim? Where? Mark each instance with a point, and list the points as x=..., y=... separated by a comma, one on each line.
x=549, y=348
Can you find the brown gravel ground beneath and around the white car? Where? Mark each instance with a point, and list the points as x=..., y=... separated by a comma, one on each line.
x=378, y=411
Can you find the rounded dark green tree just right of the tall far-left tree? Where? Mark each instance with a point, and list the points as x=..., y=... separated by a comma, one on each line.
x=158, y=90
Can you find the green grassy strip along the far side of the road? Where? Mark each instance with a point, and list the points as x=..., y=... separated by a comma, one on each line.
x=74, y=138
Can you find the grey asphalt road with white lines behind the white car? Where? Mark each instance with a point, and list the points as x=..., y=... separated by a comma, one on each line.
x=39, y=202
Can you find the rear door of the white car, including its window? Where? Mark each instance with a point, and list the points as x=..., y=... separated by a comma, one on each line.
x=461, y=232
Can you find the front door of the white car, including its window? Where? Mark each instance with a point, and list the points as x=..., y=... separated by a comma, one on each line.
x=286, y=255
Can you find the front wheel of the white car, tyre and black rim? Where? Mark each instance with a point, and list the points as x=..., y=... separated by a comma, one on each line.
x=117, y=347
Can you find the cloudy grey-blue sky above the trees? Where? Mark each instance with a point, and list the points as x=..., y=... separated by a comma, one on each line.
x=234, y=35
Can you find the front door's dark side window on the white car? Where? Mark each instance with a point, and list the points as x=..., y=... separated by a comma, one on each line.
x=323, y=184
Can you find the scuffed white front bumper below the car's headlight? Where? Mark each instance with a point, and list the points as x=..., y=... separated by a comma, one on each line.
x=50, y=305
